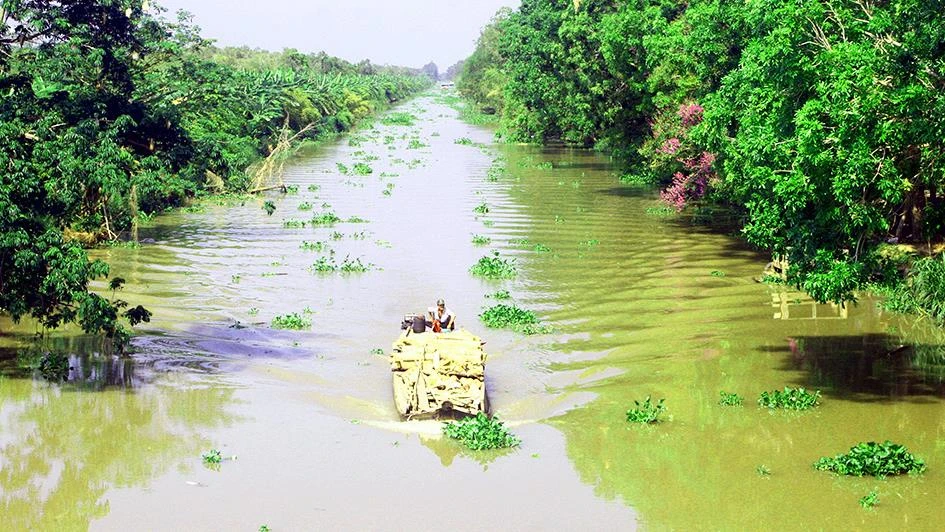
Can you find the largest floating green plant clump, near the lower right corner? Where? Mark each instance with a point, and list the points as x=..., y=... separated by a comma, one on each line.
x=874, y=459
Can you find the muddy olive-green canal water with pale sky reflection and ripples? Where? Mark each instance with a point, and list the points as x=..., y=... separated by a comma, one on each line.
x=642, y=304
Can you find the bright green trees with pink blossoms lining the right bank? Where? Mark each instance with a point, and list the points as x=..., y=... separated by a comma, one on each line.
x=819, y=123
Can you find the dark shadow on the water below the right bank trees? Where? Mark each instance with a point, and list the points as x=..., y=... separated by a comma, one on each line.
x=869, y=367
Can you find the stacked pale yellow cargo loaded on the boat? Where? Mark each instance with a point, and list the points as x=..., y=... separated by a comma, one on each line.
x=438, y=374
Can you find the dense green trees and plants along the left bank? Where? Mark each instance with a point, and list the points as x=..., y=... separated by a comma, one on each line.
x=109, y=112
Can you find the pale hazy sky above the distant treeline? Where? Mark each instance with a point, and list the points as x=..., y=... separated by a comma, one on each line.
x=396, y=32
